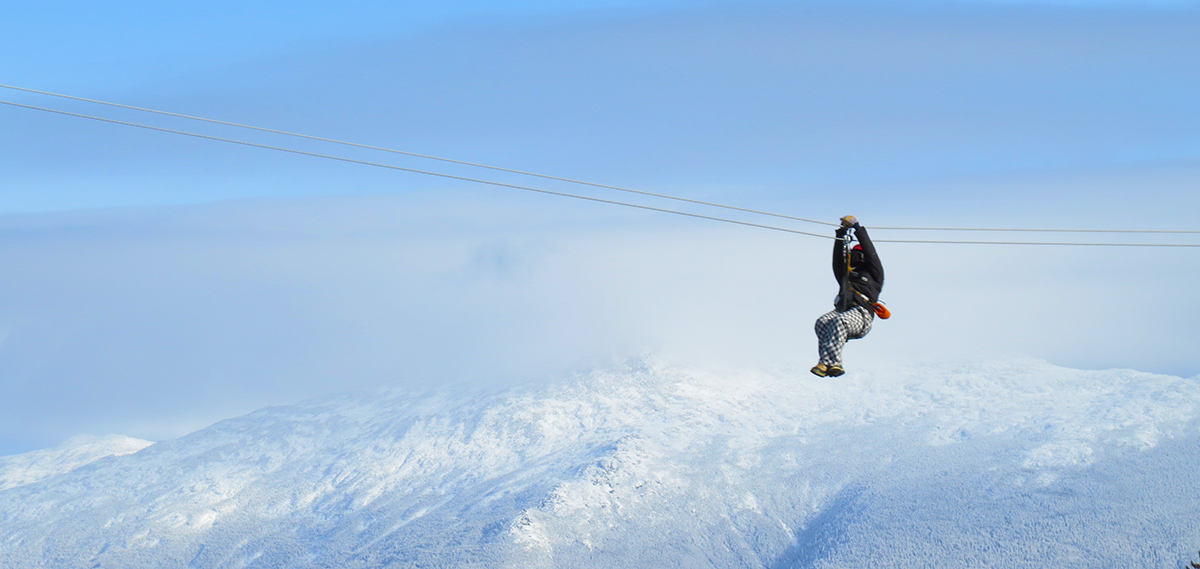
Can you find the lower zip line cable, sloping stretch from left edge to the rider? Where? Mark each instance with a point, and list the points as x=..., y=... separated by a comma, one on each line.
x=343, y=159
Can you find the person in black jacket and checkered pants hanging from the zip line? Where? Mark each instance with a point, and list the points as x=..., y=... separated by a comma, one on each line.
x=861, y=275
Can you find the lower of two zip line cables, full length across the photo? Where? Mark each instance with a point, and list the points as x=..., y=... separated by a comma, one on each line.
x=514, y=187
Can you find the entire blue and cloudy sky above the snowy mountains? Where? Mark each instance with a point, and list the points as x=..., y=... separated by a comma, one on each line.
x=158, y=284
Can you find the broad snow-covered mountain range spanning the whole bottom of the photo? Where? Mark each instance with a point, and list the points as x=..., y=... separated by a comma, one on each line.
x=1016, y=464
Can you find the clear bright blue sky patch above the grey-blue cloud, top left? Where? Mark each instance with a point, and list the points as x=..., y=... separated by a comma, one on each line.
x=131, y=43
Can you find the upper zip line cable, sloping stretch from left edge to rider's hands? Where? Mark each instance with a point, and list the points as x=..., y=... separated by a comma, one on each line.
x=419, y=155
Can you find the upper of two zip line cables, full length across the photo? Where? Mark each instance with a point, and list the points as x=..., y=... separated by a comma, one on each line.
x=477, y=165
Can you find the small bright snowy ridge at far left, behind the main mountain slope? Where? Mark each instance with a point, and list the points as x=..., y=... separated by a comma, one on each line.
x=32, y=468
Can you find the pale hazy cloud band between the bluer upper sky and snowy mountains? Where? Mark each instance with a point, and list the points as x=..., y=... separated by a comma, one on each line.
x=154, y=322
